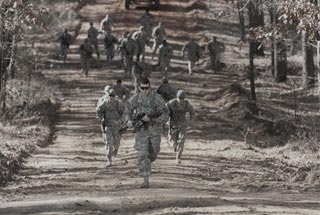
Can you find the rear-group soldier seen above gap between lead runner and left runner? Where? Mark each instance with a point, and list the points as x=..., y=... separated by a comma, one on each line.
x=129, y=46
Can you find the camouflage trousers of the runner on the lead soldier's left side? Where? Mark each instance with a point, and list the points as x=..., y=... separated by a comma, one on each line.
x=112, y=141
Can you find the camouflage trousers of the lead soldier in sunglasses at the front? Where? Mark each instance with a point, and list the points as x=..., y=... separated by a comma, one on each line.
x=148, y=147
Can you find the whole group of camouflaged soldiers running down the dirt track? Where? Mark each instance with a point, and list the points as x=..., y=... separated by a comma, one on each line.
x=149, y=112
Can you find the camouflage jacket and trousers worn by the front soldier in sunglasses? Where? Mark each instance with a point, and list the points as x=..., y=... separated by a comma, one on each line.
x=147, y=140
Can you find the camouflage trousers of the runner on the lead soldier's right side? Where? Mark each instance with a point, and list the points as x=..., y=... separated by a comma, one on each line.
x=177, y=136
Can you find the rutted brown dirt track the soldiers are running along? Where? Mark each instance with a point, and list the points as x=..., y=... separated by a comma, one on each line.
x=219, y=174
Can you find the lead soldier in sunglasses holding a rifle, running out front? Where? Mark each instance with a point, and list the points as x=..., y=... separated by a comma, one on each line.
x=151, y=106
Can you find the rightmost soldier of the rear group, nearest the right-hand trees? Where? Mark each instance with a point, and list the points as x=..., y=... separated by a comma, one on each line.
x=215, y=48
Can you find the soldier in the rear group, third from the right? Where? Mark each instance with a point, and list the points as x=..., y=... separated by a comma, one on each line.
x=165, y=54
